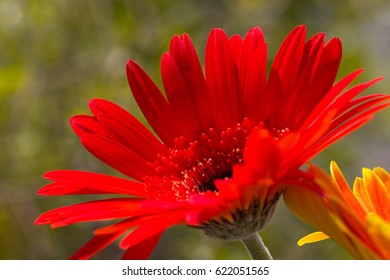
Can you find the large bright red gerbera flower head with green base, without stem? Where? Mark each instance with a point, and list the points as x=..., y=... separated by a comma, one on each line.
x=201, y=170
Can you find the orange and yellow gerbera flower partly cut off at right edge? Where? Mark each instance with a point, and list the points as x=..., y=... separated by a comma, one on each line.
x=358, y=219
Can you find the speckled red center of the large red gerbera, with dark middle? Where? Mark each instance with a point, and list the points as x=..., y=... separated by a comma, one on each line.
x=194, y=164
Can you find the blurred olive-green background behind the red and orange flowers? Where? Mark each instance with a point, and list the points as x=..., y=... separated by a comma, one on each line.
x=56, y=55
